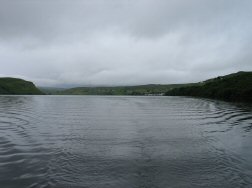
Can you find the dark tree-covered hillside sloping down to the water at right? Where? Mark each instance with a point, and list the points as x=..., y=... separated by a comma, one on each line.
x=233, y=87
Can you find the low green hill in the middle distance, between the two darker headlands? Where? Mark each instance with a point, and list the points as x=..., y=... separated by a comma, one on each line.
x=151, y=89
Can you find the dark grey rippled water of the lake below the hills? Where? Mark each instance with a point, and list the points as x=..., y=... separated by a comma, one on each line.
x=124, y=142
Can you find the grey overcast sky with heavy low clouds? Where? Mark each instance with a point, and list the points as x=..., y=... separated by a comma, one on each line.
x=124, y=42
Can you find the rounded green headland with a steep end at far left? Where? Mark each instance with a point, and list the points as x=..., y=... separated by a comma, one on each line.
x=15, y=86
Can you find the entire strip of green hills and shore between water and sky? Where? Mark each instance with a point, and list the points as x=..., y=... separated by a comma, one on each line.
x=236, y=87
